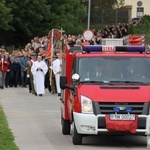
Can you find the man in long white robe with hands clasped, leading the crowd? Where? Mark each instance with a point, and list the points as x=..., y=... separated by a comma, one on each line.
x=39, y=69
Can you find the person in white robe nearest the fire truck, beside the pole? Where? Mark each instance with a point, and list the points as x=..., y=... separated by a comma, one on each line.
x=57, y=69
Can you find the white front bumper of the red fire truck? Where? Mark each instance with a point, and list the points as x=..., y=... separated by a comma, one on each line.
x=88, y=124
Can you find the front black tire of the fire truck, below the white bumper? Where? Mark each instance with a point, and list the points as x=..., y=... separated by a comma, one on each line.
x=76, y=137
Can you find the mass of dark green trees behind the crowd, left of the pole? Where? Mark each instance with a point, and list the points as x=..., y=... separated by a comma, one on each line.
x=31, y=18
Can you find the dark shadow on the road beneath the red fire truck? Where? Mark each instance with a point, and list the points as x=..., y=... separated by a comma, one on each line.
x=130, y=141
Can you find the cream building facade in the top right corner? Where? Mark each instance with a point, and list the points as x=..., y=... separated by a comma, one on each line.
x=138, y=8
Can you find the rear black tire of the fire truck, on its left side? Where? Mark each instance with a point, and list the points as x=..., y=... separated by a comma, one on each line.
x=65, y=126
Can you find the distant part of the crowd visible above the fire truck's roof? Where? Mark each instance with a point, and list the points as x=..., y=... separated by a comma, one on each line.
x=110, y=31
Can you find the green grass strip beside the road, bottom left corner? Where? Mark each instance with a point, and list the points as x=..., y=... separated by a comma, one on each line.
x=6, y=136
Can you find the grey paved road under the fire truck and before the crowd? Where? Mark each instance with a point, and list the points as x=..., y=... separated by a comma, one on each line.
x=35, y=123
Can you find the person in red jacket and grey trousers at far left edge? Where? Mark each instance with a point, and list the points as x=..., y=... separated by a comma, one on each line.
x=4, y=64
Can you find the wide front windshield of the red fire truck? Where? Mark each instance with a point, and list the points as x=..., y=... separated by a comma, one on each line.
x=114, y=70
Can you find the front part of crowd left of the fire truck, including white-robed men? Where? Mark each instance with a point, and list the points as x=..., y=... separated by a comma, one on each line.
x=30, y=67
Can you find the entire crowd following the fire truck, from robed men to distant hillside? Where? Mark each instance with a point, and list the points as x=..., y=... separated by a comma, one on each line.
x=30, y=66
